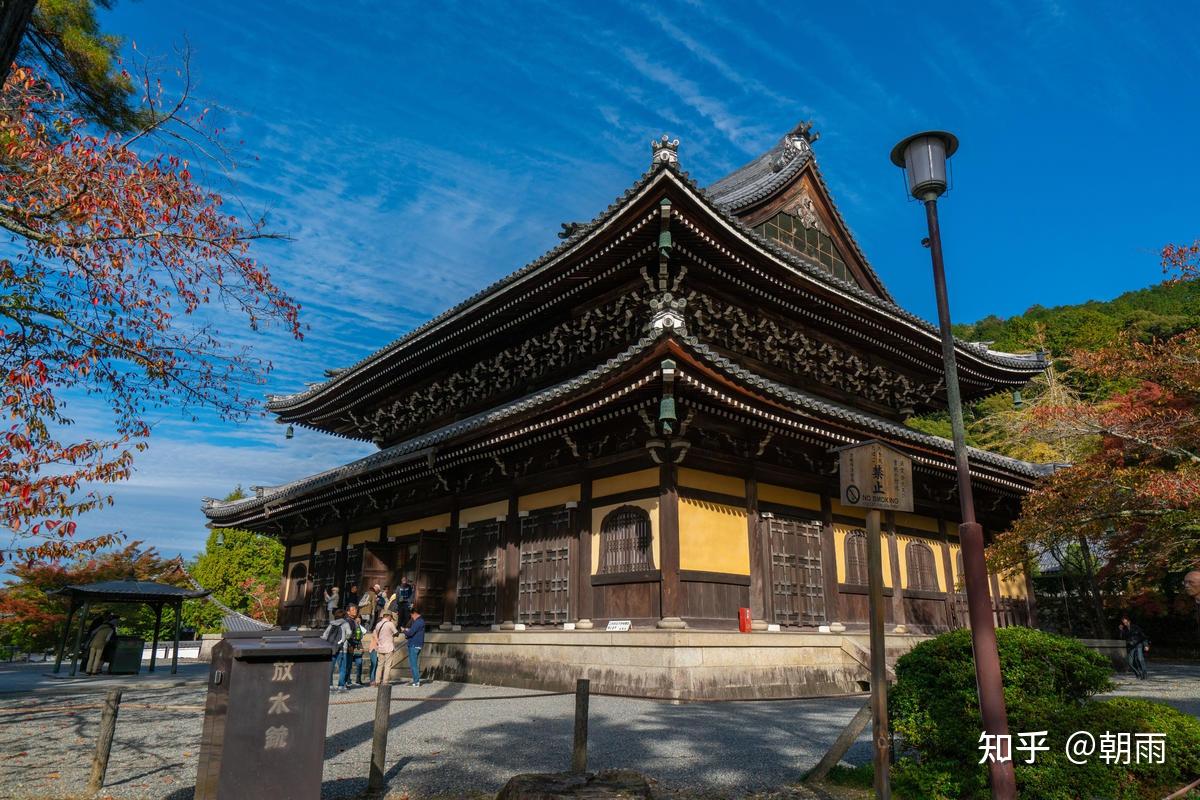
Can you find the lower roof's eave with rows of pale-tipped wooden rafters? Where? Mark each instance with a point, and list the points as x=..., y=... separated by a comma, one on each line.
x=568, y=407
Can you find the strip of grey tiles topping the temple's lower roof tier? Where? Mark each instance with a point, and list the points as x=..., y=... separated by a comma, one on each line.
x=417, y=448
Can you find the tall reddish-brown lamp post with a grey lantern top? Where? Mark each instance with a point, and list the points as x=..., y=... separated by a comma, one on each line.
x=923, y=159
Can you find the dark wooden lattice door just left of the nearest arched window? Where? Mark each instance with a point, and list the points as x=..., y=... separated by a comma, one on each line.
x=545, y=568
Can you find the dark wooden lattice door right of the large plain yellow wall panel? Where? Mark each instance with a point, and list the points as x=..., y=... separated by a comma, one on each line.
x=796, y=582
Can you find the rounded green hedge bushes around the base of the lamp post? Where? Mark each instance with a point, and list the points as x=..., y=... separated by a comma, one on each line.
x=1049, y=685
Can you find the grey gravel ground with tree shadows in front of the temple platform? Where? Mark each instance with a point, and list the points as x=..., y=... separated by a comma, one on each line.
x=457, y=741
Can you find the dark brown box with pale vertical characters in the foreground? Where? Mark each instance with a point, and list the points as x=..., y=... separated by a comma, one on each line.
x=274, y=743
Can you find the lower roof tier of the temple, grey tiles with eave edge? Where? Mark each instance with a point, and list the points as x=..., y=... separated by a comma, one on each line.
x=425, y=448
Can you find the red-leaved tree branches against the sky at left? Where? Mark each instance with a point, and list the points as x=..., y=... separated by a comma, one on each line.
x=119, y=266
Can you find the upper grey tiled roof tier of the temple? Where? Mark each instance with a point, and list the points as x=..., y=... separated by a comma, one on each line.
x=722, y=201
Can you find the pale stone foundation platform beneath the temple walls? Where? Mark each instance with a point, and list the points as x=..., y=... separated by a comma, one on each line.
x=664, y=665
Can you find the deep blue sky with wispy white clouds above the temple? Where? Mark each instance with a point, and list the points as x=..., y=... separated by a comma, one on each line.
x=416, y=153
